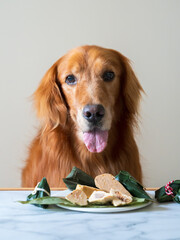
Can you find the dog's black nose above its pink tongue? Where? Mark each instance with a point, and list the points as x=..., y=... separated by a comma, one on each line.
x=93, y=113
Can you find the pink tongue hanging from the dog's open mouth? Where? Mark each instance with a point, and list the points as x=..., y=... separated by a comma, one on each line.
x=96, y=140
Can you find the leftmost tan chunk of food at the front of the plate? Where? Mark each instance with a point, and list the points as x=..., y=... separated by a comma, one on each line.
x=77, y=197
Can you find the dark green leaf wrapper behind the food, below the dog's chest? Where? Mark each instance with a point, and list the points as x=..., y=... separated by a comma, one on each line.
x=77, y=176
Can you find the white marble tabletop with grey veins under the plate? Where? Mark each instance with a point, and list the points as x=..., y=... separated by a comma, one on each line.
x=18, y=221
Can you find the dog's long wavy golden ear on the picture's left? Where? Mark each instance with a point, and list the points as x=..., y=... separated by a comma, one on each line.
x=49, y=102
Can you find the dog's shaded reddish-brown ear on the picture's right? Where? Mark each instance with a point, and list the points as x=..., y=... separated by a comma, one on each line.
x=131, y=89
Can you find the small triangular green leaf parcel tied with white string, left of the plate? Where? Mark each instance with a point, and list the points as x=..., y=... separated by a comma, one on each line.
x=41, y=190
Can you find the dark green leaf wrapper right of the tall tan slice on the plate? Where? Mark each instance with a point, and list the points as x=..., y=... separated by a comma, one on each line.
x=132, y=185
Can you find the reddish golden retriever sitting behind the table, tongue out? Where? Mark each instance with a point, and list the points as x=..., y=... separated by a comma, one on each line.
x=88, y=106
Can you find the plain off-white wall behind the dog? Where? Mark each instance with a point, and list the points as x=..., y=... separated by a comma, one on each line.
x=34, y=34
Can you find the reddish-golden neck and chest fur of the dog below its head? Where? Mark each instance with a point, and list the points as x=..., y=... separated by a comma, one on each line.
x=51, y=147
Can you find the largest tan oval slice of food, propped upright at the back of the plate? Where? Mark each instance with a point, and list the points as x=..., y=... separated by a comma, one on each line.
x=106, y=182
